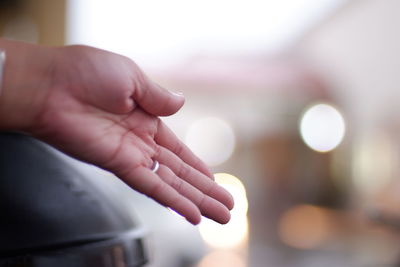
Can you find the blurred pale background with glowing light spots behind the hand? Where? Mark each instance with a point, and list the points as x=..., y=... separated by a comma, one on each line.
x=293, y=104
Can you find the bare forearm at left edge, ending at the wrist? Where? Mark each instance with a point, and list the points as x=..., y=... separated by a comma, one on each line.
x=26, y=81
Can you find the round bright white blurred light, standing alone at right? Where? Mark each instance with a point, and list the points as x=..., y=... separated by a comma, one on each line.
x=322, y=127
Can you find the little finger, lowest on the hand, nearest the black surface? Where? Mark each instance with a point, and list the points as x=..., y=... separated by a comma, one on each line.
x=149, y=183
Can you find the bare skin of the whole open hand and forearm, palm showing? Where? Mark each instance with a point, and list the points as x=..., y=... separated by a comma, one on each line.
x=99, y=107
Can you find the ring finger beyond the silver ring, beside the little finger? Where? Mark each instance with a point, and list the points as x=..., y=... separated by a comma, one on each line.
x=209, y=207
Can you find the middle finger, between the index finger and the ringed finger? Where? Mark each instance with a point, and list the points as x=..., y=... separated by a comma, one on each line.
x=194, y=177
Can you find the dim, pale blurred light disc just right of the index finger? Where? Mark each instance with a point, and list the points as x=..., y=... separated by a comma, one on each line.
x=212, y=139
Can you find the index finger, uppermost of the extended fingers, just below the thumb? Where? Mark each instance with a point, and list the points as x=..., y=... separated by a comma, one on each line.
x=166, y=138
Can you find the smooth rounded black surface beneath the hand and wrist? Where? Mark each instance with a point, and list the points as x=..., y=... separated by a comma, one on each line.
x=46, y=204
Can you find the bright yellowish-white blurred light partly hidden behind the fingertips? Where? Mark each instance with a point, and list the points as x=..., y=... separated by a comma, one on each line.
x=235, y=232
